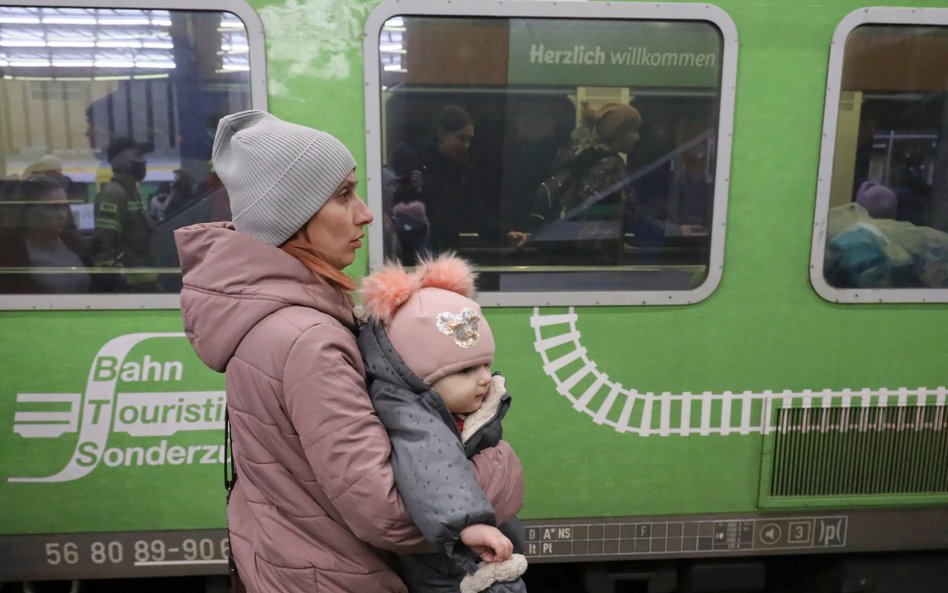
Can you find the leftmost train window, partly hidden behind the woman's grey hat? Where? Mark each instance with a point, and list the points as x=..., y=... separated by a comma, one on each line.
x=106, y=123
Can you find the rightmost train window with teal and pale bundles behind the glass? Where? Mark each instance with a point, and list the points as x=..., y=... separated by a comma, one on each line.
x=881, y=225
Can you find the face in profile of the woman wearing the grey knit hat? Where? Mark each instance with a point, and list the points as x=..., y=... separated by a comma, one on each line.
x=337, y=228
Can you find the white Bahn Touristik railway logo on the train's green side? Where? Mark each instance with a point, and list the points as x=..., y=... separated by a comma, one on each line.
x=103, y=410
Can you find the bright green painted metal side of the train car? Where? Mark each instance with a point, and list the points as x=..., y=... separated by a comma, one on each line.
x=764, y=329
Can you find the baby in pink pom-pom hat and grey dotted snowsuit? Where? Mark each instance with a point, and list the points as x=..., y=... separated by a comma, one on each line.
x=427, y=353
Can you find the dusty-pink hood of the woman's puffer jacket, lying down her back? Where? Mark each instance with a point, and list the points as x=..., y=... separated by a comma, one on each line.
x=231, y=281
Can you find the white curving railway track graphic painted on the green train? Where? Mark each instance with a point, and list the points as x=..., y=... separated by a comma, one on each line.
x=626, y=409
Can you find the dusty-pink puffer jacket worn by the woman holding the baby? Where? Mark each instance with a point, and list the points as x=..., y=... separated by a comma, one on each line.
x=315, y=507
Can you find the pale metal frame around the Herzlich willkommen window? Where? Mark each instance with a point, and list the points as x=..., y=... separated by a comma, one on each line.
x=573, y=10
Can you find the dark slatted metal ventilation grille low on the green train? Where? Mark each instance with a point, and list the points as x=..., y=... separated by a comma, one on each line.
x=860, y=451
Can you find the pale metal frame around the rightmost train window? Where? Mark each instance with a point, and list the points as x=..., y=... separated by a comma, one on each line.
x=853, y=20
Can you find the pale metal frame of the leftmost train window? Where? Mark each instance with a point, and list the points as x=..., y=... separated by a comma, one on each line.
x=258, y=100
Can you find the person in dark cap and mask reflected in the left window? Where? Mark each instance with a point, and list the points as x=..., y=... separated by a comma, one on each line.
x=123, y=227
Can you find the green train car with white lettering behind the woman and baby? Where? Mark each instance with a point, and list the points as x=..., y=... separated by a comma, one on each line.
x=726, y=362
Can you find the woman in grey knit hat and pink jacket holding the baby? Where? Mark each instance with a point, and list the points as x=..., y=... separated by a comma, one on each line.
x=265, y=300
